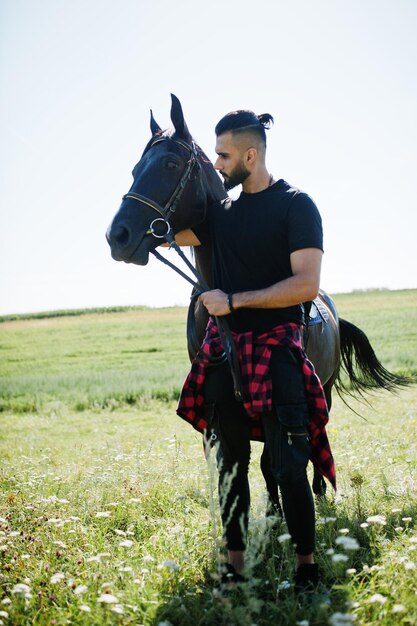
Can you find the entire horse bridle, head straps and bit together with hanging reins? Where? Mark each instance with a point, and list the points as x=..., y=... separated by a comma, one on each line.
x=199, y=285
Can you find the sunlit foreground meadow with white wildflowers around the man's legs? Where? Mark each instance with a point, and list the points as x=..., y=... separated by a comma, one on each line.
x=115, y=507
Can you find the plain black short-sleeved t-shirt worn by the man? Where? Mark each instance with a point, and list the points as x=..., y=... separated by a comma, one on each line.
x=252, y=242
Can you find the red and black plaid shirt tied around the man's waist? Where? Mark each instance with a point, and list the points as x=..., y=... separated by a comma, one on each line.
x=254, y=354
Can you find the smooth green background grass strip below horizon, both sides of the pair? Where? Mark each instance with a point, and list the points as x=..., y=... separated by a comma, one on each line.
x=126, y=357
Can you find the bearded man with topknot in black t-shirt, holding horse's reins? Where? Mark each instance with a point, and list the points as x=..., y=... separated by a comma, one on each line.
x=267, y=249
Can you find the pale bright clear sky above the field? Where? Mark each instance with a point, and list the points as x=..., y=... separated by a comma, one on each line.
x=77, y=80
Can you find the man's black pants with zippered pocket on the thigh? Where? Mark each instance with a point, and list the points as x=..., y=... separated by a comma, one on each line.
x=287, y=441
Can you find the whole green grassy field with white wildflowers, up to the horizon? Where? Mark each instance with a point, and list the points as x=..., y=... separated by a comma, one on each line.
x=108, y=509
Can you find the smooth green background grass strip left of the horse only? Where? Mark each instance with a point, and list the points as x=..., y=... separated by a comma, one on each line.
x=92, y=361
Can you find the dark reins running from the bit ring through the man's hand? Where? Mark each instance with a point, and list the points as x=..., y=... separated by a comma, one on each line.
x=200, y=286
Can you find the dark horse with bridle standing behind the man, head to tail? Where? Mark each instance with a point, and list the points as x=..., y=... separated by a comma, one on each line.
x=174, y=186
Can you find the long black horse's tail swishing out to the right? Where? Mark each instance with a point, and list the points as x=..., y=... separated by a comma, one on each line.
x=360, y=363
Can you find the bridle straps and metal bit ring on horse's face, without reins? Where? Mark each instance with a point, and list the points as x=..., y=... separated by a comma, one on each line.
x=166, y=211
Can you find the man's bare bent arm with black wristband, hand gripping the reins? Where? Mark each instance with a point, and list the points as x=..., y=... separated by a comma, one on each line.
x=302, y=286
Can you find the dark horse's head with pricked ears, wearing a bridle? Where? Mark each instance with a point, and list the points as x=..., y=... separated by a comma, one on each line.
x=172, y=186
